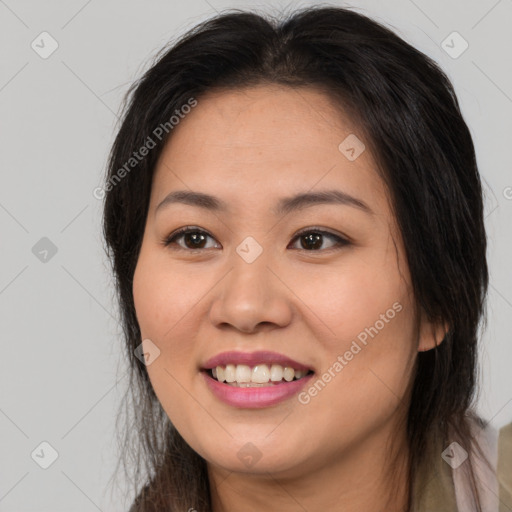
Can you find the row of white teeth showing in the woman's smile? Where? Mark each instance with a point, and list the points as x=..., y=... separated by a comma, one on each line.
x=245, y=376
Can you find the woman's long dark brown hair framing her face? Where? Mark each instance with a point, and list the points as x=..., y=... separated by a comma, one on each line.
x=408, y=112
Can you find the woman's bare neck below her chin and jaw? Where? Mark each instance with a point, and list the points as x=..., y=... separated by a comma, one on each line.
x=362, y=479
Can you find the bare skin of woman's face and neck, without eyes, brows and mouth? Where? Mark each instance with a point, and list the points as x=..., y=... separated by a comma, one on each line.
x=250, y=148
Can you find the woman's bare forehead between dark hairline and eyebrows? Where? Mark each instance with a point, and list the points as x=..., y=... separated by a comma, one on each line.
x=265, y=139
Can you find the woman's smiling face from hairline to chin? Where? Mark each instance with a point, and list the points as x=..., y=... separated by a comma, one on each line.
x=320, y=280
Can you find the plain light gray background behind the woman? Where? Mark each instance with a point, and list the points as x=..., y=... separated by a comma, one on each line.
x=61, y=375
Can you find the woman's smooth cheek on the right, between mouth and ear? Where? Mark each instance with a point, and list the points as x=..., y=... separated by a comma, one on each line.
x=369, y=345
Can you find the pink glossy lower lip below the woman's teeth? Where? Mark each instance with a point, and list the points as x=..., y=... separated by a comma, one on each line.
x=257, y=397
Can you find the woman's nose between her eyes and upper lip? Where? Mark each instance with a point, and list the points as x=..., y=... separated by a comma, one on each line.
x=252, y=297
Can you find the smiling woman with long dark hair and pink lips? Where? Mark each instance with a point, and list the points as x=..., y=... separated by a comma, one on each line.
x=294, y=215
